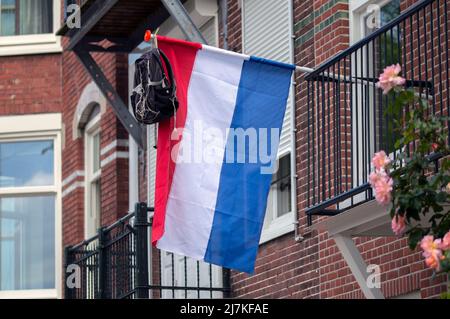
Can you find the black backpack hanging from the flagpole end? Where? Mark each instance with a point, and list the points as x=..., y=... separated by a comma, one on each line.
x=154, y=94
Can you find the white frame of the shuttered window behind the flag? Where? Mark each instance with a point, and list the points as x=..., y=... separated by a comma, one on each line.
x=285, y=224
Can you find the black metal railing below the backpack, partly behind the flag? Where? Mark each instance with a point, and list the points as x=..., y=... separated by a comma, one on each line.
x=118, y=263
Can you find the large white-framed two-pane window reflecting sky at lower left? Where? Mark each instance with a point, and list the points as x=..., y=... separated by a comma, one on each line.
x=30, y=206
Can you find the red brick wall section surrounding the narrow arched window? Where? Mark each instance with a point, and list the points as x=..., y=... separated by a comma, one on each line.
x=114, y=176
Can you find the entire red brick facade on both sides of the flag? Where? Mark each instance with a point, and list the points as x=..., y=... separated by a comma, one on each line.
x=285, y=268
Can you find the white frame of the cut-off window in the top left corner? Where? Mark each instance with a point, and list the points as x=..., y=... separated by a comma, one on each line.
x=34, y=43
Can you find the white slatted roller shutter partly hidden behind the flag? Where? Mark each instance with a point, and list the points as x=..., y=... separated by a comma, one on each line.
x=266, y=33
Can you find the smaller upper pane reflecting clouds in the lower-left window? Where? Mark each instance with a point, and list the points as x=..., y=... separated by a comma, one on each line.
x=26, y=163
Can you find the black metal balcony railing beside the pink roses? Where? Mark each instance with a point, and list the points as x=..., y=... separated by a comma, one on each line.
x=347, y=122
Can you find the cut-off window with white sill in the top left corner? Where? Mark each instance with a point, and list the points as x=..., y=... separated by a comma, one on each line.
x=28, y=26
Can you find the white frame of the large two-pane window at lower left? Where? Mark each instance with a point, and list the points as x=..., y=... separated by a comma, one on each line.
x=38, y=127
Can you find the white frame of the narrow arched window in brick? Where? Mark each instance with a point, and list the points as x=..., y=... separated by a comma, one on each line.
x=91, y=129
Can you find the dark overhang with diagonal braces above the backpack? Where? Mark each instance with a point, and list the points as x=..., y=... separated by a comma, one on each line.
x=119, y=26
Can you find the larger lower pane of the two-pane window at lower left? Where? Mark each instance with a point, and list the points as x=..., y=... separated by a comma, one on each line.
x=27, y=243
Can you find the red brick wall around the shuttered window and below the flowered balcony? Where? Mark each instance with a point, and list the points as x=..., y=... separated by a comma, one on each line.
x=314, y=267
